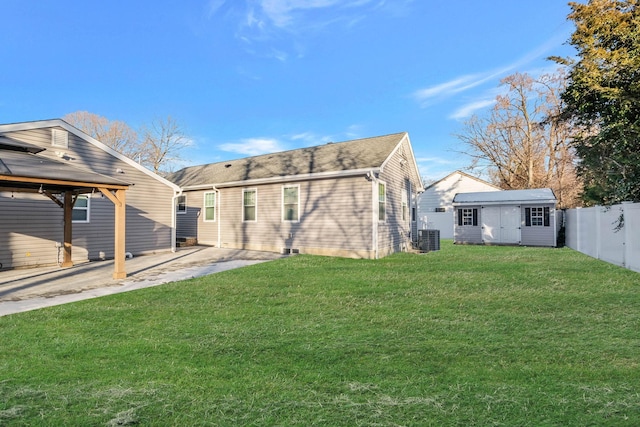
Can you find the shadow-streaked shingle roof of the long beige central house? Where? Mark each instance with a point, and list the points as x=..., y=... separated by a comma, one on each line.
x=360, y=154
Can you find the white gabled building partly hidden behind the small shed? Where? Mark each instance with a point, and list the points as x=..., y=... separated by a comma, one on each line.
x=435, y=204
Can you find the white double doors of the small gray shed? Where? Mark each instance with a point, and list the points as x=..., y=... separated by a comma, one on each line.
x=501, y=224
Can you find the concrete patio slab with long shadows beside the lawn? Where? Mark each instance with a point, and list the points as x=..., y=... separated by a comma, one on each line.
x=29, y=289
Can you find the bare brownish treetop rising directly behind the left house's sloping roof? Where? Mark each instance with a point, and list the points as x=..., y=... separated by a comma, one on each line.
x=113, y=133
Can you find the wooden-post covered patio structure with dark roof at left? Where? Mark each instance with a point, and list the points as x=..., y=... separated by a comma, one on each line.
x=23, y=170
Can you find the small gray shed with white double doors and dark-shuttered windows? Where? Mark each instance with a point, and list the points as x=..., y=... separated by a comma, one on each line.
x=510, y=217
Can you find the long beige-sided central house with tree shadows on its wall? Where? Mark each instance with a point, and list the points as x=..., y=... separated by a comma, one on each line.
x=350, y=199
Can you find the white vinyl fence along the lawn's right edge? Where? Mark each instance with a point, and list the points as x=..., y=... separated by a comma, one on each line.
x=598, y=232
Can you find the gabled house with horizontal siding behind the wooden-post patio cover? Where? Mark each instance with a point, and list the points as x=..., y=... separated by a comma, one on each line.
x=31, y=231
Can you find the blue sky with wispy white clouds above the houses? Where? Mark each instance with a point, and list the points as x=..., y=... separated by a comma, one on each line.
x=246, y=77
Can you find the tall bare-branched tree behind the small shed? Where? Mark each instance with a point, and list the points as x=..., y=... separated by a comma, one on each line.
x=520, y=142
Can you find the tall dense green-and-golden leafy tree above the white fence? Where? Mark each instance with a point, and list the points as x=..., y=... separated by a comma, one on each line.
x=603, y=98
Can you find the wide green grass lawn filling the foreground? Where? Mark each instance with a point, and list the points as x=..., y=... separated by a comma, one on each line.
x=469, y=335
